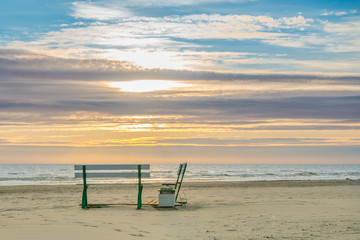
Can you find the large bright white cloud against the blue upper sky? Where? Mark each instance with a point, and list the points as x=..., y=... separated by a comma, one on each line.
x=166, y=39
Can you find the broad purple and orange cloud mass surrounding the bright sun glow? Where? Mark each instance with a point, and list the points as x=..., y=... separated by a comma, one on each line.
x=50, y=101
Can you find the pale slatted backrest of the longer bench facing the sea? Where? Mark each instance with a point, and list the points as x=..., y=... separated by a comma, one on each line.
x=112, y=171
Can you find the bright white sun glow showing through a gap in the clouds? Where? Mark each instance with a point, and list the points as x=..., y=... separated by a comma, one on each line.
x=140, y=86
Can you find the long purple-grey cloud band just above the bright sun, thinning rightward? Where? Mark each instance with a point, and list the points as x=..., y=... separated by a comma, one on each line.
x=23, y=64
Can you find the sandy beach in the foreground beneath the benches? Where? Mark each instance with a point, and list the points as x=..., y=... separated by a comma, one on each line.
x=219, y=210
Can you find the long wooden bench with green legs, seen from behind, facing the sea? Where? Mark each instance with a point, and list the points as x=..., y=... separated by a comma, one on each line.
x=114, y=171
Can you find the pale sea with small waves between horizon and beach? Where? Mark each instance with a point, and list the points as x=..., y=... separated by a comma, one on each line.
x=60, y=174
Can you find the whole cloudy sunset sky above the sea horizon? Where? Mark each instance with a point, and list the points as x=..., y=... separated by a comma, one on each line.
x=205, y=81
